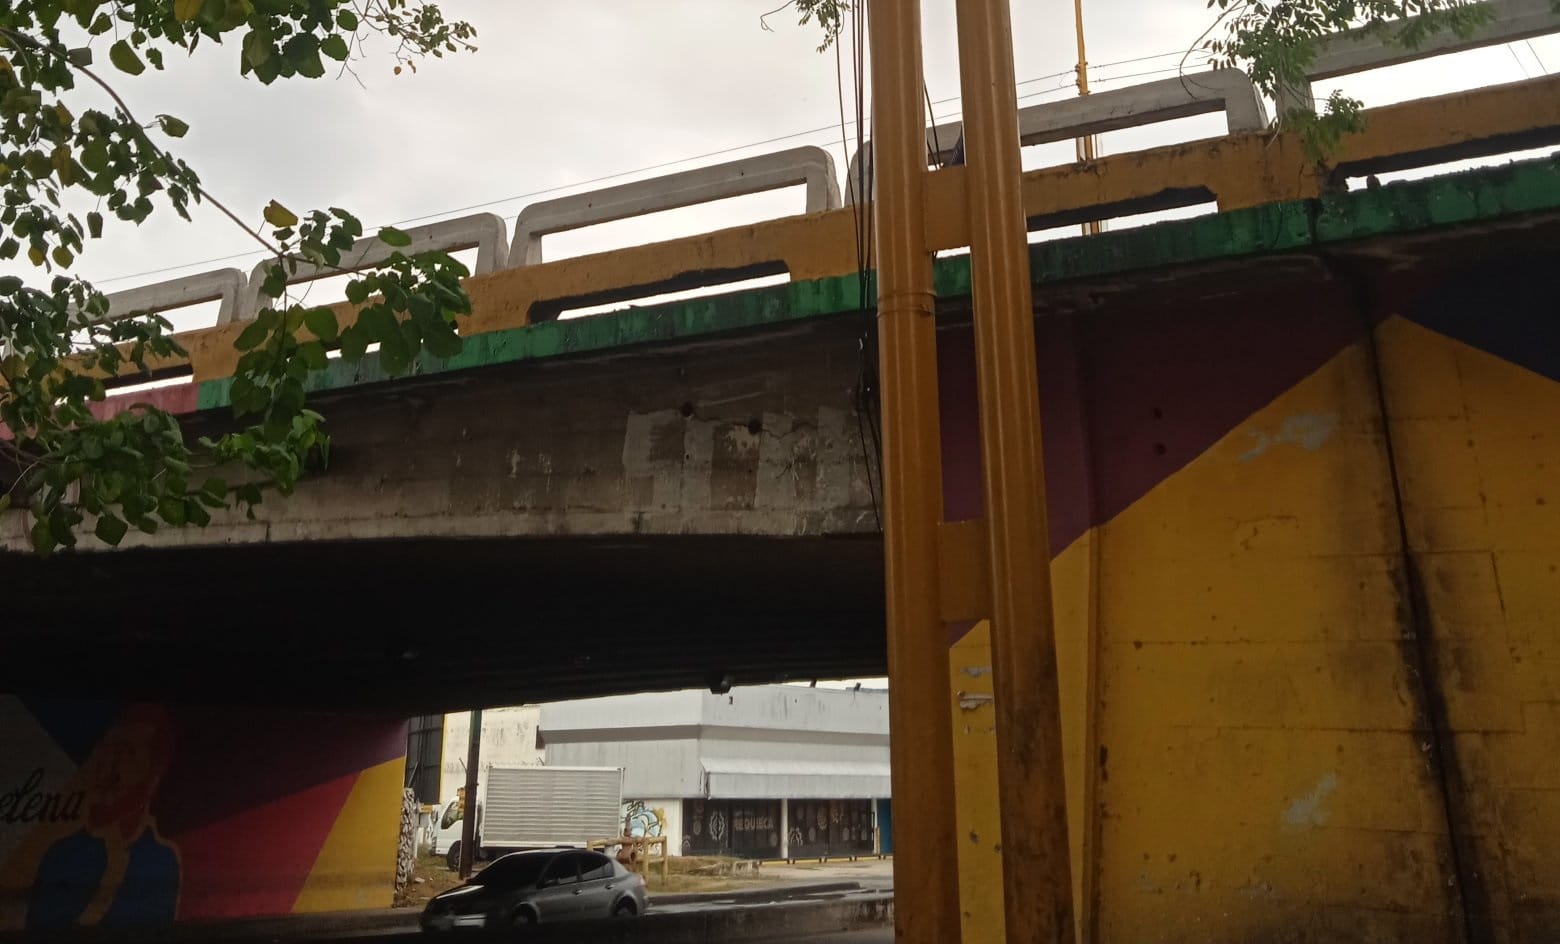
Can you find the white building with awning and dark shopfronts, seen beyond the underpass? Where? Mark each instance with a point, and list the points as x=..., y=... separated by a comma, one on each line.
x=775, y=772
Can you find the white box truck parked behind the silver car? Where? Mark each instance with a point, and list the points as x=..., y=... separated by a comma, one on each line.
x=536, y=809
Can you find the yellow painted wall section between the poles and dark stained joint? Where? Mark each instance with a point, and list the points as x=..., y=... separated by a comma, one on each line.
x=1261, y=773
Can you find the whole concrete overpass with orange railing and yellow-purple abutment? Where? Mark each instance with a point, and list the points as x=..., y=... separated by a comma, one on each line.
x=1300, y=470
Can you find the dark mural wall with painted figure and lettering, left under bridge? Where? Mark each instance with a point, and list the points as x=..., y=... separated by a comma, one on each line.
x=132, y=814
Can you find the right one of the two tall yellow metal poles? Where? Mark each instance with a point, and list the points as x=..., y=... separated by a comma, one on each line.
x=1037, y=868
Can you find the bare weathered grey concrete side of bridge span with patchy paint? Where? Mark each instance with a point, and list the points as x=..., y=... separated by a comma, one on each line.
x=739, y=438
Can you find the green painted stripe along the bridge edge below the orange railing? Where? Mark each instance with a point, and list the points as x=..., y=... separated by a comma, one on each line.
x=1470, y=197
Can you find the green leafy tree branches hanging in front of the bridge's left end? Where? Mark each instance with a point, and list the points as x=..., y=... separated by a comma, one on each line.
x=63, y=460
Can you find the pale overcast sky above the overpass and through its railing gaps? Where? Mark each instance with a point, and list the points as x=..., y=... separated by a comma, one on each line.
x=564, y=93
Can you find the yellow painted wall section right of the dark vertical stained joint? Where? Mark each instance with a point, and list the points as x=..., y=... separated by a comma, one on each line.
x=1478, y=449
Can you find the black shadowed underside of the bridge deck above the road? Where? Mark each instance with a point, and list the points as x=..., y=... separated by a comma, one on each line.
x=434, y=625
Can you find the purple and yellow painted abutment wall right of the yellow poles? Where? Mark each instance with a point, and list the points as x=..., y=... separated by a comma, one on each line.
x=1306, y=566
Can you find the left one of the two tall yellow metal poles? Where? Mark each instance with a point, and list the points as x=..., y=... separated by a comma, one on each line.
x=926, y=864
